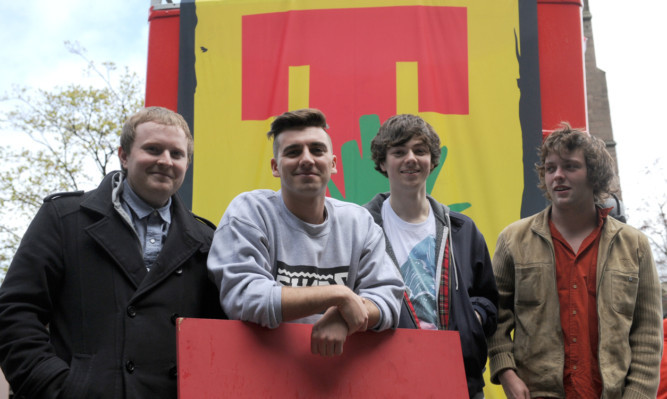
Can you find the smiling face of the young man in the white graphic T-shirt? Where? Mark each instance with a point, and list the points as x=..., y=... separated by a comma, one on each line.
x=408, y=165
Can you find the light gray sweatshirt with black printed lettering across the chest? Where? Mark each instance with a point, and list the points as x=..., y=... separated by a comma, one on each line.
x=260, y=246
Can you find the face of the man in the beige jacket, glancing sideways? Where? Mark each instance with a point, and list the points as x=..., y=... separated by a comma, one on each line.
x=566, y=179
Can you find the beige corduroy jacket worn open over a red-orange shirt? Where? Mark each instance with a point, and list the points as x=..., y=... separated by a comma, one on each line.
x=628, y=301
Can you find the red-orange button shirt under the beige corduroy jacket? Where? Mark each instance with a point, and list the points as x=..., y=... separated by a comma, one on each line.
x=576, y=280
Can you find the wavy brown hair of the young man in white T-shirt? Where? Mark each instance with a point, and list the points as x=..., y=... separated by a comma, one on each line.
x=398, y=130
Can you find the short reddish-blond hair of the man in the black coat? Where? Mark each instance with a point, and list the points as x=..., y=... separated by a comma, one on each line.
x=160, y=115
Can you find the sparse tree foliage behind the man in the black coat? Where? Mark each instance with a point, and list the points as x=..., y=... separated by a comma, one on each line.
x=72, y=135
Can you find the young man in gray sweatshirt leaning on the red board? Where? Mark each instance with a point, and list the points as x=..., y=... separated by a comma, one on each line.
x=297, y=255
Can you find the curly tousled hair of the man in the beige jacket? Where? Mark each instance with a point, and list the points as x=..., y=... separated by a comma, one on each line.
x=599, y=163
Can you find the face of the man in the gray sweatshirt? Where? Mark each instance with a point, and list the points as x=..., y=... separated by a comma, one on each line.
x=304, y=162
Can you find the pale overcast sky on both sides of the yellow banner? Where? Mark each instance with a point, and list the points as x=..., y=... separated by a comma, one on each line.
x=630, y=39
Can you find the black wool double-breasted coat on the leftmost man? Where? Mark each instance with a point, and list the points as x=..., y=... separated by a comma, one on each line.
x=79, y=316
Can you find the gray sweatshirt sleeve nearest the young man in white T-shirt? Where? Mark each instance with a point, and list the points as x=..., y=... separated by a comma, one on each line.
x=379, y=280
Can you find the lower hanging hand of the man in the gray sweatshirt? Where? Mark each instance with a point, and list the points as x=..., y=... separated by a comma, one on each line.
x=329, y=334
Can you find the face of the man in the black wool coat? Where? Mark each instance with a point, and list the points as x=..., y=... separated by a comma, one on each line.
x=157, y=162
